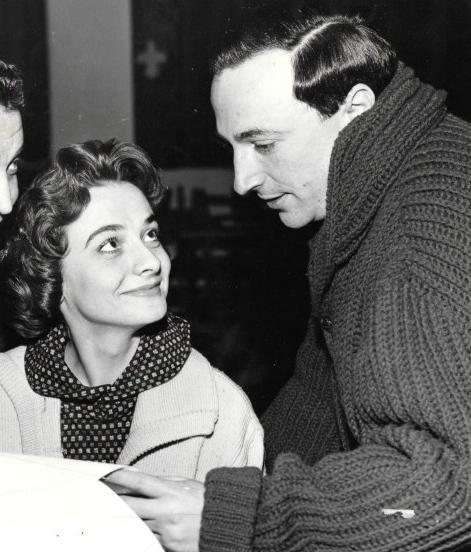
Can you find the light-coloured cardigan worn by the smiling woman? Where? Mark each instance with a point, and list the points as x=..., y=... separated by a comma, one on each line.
x=197, y=421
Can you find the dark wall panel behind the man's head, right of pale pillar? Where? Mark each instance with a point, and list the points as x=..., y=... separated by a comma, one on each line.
x=431, y=35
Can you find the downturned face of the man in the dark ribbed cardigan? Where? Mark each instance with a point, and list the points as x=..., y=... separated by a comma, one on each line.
x=282, y=146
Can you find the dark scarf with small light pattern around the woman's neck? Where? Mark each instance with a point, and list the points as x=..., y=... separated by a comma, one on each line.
x=95, y=421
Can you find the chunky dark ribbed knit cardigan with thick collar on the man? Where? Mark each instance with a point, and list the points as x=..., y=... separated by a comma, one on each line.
x=384, y=374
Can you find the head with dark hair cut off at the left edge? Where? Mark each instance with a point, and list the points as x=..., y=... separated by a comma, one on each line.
x=11, y=134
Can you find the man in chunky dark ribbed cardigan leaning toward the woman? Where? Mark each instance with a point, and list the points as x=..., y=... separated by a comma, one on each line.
x=369, y=443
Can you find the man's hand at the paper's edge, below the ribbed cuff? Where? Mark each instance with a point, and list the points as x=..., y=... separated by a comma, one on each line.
x=170, y=506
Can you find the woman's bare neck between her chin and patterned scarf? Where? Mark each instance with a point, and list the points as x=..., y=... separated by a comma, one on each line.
x=98, y=357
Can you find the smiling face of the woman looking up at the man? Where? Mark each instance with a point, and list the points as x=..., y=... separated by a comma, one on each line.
x=116, y=271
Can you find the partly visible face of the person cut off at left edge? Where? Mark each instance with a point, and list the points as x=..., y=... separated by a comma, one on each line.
x=11, y=142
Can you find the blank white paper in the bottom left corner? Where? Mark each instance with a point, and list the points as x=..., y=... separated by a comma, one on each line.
x=52, y=504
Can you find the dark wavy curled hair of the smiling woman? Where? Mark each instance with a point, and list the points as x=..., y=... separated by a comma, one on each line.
x=32, y=257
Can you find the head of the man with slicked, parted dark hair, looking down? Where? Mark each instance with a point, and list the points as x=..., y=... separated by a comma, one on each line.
x=282, y=95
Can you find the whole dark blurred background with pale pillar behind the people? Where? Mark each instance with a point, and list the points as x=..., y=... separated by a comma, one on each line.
x=138, y=70
